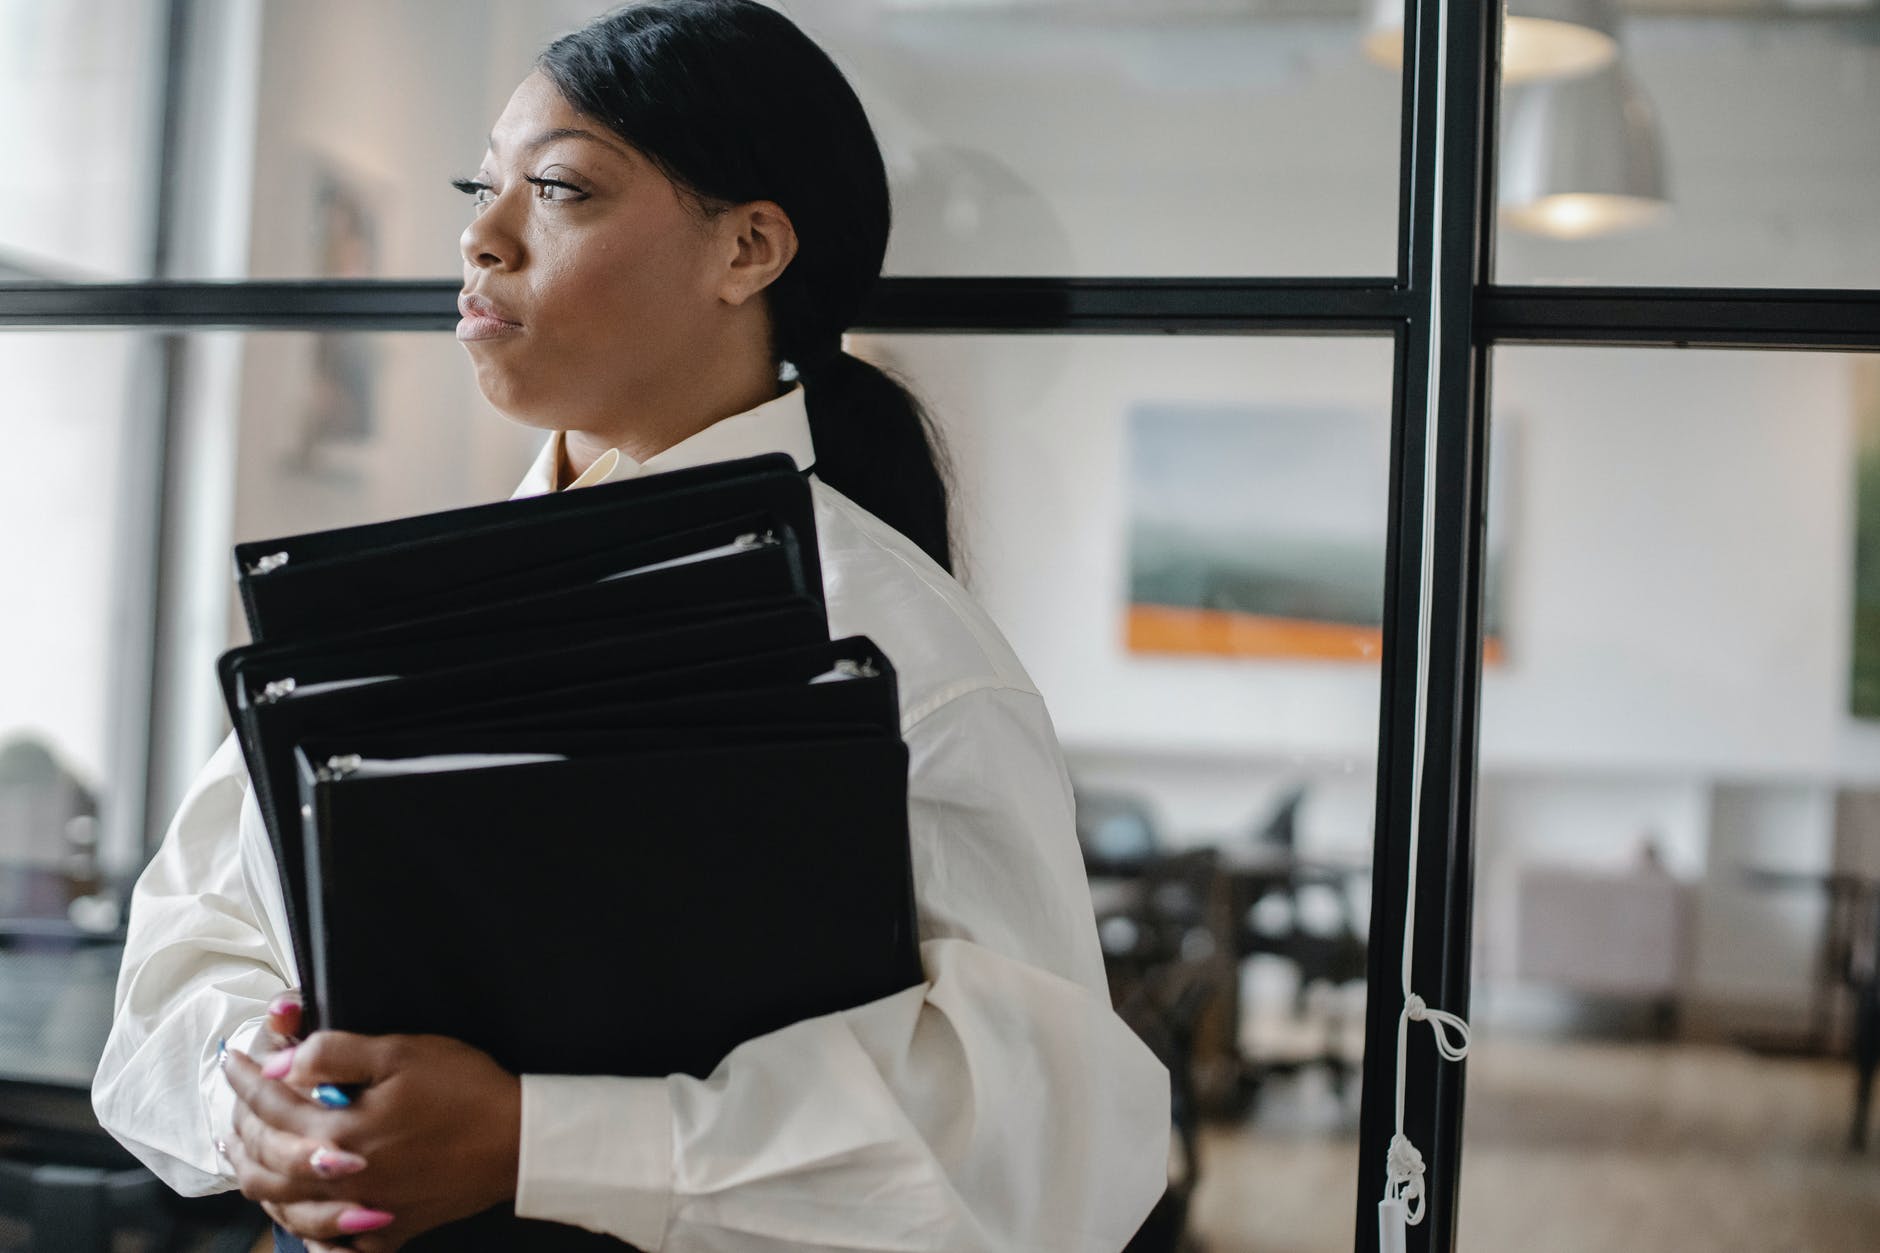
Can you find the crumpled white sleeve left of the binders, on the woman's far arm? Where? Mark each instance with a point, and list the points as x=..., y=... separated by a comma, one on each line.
x=206, y=953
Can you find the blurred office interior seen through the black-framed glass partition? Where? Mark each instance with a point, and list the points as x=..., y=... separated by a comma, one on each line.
x=1183, y=537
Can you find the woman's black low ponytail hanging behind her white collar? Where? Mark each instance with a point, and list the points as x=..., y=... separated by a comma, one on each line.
x=877, y=445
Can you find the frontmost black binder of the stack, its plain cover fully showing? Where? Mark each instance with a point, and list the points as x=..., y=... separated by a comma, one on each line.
x=403, y=849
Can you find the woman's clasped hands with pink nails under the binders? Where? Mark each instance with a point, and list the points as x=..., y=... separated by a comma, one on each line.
x=435, y=1132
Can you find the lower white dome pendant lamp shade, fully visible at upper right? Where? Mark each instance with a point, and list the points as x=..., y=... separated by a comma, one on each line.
x=1582, y=157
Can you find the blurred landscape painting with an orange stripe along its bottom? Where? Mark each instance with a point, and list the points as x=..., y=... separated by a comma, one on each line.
x=1259, y=531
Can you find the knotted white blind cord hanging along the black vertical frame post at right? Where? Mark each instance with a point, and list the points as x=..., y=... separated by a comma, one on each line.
x=1403, y=1166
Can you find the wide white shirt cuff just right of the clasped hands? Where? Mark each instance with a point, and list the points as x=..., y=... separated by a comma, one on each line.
x=597, y=1152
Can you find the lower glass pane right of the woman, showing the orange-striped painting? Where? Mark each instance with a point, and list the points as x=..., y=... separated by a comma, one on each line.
x=1183, y=539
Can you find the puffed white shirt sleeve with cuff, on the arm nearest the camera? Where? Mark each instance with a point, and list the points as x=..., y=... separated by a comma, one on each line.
x=1001, y=1105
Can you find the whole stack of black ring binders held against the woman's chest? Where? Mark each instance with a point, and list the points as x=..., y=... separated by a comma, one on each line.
x=578, y=780
